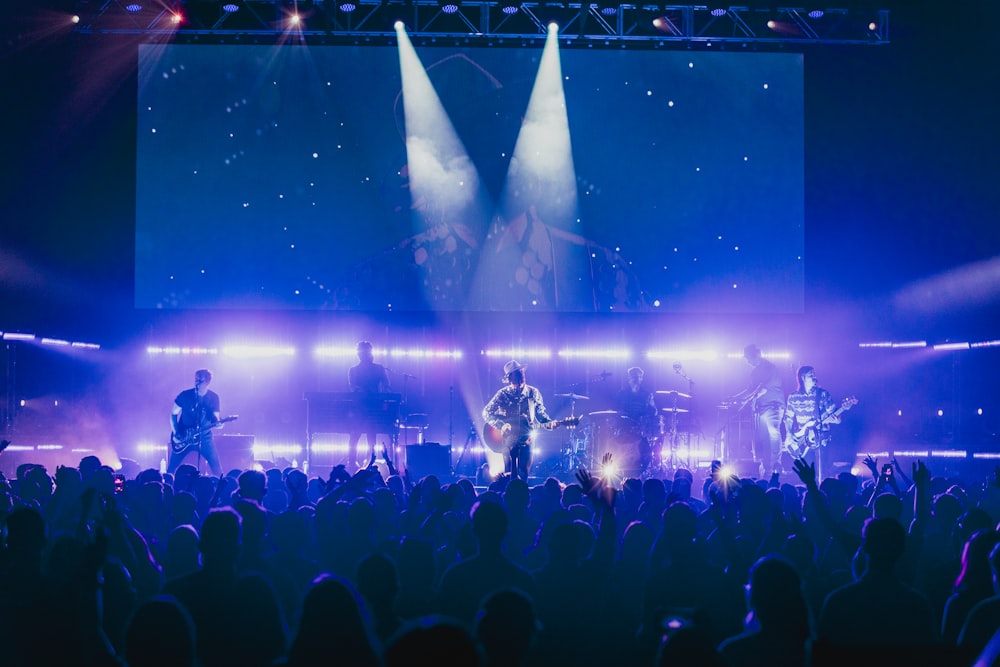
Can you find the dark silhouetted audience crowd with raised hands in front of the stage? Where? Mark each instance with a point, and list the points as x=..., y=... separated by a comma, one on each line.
x=274, y=568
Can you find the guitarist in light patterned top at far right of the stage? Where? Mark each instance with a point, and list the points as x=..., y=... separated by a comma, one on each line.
x=809, y=404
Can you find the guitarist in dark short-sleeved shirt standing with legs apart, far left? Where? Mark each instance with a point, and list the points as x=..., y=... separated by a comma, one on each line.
x=195, y=413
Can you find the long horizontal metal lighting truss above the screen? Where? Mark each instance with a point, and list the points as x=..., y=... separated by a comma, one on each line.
x=586, y=23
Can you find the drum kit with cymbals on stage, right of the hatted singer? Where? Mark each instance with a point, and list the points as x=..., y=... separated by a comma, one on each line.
x=649, y=446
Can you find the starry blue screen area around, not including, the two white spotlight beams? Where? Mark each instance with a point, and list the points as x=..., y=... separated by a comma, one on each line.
x=267, y=175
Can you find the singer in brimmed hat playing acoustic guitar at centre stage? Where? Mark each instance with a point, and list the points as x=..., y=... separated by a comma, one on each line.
x=515, y=410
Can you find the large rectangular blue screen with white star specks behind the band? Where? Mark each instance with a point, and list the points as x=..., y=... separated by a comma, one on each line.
x=586, y=180
